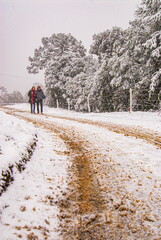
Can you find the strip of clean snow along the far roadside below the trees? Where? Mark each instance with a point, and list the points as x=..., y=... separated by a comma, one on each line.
x=149, y=120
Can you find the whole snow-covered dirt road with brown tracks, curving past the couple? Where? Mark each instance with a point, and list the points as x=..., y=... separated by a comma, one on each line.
x=98, y=182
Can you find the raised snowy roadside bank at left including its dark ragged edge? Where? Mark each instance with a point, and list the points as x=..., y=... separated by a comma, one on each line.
x=18, y=139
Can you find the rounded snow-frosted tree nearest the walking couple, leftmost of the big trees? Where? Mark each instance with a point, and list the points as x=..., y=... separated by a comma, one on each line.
x=61, y=57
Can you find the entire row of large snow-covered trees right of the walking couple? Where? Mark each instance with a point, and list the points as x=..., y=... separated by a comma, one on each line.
x=118, y=60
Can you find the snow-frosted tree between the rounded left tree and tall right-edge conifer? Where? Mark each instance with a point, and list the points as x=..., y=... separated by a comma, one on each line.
x=109, y=86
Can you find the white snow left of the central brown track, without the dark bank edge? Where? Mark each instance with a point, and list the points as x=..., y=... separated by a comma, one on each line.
x=27, y=205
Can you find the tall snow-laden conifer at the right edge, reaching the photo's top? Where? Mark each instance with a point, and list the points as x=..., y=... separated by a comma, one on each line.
x=148, y=15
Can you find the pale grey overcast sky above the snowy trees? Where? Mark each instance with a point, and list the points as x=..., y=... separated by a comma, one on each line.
x=23, y=23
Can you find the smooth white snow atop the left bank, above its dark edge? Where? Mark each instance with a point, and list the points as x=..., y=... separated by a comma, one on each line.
x=15, y=136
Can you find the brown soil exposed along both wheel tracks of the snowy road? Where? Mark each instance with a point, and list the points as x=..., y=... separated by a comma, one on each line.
x=96, y=204
